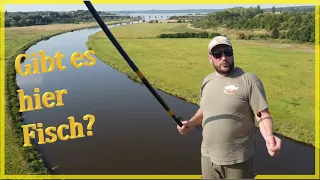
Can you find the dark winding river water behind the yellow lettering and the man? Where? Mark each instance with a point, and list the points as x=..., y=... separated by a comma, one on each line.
x=132, y=133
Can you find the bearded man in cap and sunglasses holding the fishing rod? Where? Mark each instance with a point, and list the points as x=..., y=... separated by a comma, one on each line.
x=230, y=100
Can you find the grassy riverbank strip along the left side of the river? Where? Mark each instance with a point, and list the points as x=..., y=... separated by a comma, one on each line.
x=18, y=159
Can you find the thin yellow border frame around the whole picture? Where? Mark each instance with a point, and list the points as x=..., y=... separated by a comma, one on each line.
x=2, y=89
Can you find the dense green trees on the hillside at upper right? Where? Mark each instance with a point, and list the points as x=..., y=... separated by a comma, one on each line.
x=294, y=25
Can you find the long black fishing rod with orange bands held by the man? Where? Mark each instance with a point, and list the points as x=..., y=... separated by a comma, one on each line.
x=129, y=61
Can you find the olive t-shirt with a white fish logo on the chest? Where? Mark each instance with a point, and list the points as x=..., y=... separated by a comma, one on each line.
x=228, y=105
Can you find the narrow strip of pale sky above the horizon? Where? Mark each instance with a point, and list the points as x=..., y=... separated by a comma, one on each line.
x=127, y=7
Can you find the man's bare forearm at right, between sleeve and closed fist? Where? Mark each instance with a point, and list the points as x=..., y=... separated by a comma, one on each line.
x=265, y=123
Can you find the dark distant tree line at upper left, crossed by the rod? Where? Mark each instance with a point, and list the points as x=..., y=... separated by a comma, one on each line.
x=14, y=19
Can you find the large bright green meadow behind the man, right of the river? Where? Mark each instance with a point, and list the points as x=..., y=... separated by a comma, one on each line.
x=178, y=66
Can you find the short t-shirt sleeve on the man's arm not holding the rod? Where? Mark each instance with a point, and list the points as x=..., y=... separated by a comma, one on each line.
x=257, y=97
